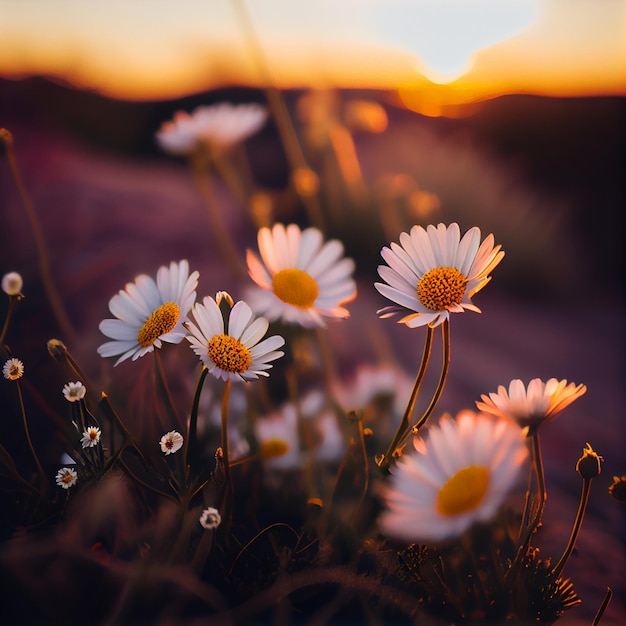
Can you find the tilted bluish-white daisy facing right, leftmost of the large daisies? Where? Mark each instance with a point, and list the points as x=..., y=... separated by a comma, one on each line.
x=149, y=313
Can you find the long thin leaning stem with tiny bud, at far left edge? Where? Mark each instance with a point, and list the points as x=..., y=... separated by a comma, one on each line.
x=44, y=266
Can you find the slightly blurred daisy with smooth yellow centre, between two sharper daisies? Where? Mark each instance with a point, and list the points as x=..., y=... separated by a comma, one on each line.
x=302, y=279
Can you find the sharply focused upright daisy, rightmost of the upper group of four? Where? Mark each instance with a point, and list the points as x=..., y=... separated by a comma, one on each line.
x=434, y=272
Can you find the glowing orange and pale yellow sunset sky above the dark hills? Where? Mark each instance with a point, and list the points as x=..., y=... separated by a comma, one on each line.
x=140, y=49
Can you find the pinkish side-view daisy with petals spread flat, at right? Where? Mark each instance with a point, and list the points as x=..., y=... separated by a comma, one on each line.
x=534, y=405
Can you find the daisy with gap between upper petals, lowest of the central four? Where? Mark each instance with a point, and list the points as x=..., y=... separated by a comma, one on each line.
x=235, y=353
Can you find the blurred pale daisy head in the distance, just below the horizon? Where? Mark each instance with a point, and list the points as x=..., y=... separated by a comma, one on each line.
x=219, y=126
